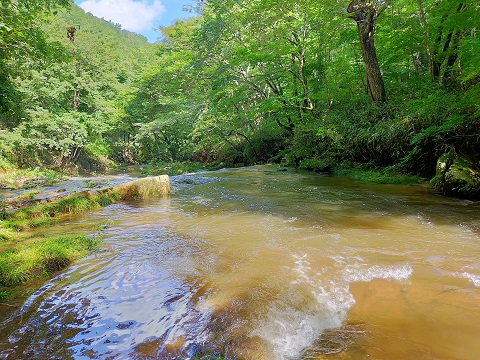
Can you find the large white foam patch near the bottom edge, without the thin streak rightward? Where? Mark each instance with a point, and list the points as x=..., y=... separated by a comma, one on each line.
x=308, y=307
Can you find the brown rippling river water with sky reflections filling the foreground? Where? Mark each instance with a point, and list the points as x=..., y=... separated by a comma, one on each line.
x=256, y=264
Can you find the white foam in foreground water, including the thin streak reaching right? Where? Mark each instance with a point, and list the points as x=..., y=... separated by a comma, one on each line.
x=313, y=304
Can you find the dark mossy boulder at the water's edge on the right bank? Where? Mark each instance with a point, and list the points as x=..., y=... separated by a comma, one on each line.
x=457, y=176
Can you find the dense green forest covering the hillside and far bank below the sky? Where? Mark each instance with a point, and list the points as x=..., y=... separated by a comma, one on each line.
x=387, y=85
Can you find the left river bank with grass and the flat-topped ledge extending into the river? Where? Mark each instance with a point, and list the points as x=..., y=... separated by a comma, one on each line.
x=25, y=255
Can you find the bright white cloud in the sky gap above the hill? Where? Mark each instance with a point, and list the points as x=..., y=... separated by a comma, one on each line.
x=132, y=15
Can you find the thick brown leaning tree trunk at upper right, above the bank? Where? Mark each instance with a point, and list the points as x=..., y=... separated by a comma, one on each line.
x=365, y=15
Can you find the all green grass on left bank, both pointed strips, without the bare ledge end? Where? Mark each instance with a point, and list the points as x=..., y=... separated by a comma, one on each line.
x=23, y=261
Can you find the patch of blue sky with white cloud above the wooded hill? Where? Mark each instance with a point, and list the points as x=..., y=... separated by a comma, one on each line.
x=140, y=16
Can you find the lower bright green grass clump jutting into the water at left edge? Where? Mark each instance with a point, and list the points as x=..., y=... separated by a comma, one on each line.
x=41, y=258
